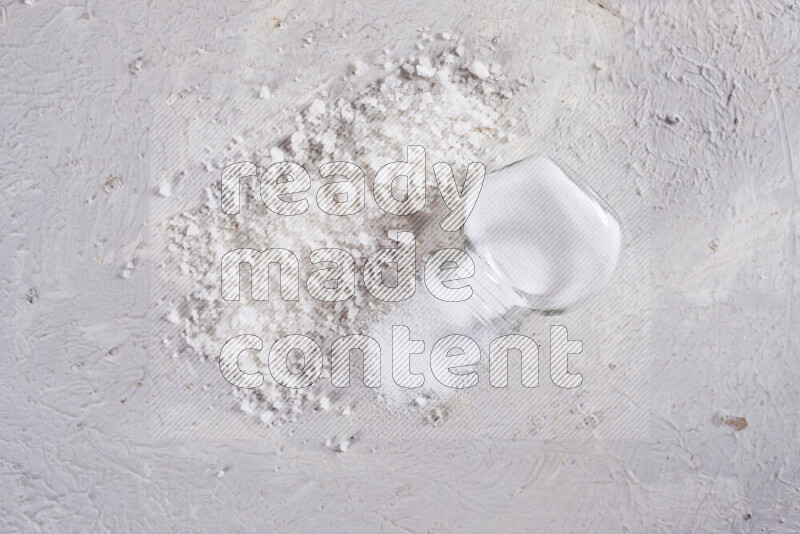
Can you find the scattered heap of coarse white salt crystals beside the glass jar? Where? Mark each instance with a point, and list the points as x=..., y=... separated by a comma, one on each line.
x=449, y=106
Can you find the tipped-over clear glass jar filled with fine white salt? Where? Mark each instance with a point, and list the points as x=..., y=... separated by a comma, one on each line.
x=542, y=240
